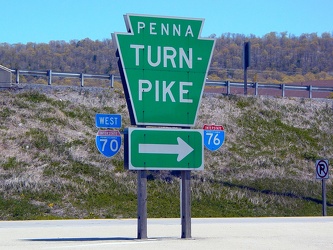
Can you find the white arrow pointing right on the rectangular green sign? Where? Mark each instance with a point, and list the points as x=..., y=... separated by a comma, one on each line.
x=182, y=149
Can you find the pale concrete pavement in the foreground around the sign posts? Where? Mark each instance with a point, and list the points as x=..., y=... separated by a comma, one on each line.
x=211, y=233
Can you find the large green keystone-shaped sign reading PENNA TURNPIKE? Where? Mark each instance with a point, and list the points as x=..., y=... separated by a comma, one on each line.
x=164, y=64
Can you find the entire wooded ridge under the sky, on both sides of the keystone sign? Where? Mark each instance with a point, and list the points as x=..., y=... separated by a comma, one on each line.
x=275, y=57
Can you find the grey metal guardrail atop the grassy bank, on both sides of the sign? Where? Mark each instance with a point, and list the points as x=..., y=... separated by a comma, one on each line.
x=256, y=86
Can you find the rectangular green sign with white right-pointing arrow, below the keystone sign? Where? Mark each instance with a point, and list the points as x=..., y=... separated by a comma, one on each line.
x=164, y=149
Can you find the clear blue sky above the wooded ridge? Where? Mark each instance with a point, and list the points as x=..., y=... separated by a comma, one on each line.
x=41, y=21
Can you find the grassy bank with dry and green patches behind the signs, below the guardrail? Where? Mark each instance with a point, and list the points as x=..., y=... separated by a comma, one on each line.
x=50, y=167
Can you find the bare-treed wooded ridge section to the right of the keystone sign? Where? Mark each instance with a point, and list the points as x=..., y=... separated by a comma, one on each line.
x=275, y=57
